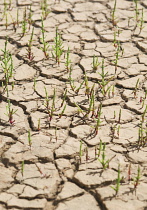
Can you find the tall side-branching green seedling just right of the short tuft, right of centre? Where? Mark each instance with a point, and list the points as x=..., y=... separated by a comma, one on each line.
x=104, y=82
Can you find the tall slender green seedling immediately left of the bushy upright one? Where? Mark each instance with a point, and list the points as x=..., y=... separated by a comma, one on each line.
x=45, y=44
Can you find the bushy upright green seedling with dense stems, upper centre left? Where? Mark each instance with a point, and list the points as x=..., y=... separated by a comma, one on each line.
x=58, y=48
